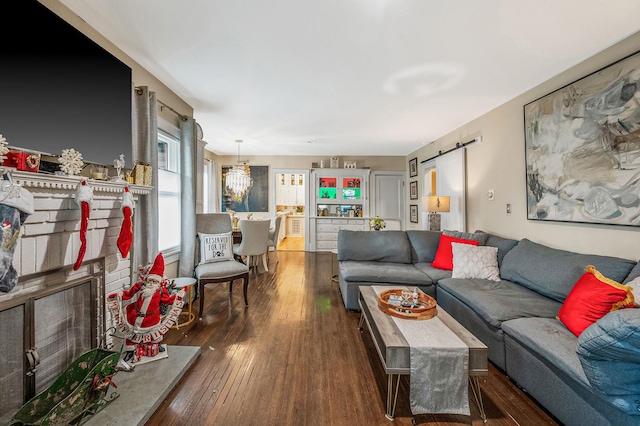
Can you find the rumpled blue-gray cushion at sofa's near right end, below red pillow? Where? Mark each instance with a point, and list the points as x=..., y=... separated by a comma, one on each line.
x=609, y=351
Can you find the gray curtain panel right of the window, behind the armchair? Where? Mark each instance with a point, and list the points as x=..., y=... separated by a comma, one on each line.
x=188, y=141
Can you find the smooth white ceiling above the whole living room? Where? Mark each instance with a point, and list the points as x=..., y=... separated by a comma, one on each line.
x=358, y=77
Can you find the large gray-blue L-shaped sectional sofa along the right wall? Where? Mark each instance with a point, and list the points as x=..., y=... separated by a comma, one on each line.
x=592, y=379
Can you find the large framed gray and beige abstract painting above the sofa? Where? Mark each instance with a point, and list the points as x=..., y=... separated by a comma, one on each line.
x=582, y=148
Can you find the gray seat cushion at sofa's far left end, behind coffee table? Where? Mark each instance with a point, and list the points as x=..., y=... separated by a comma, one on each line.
x=382, y=272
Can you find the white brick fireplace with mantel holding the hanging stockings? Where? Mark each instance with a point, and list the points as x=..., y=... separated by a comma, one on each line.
x=44, y=256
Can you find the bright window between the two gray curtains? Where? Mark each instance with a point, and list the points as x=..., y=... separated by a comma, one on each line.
x=168, y=191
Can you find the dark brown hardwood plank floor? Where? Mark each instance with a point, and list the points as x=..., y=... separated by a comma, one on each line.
x=295, y=356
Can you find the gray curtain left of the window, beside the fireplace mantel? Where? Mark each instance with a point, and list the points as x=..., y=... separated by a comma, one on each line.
x=145, y=149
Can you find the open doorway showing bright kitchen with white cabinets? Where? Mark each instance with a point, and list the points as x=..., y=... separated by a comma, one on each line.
x=290, y=201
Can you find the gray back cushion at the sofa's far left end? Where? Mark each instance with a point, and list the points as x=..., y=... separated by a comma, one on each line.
x=387, y=246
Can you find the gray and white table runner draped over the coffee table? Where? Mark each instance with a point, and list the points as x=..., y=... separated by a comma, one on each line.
x=439, y=366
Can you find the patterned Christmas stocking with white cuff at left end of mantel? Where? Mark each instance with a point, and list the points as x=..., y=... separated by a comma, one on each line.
x=16, y=204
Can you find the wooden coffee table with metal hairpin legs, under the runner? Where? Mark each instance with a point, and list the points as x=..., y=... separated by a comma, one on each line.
x=394, y=350
